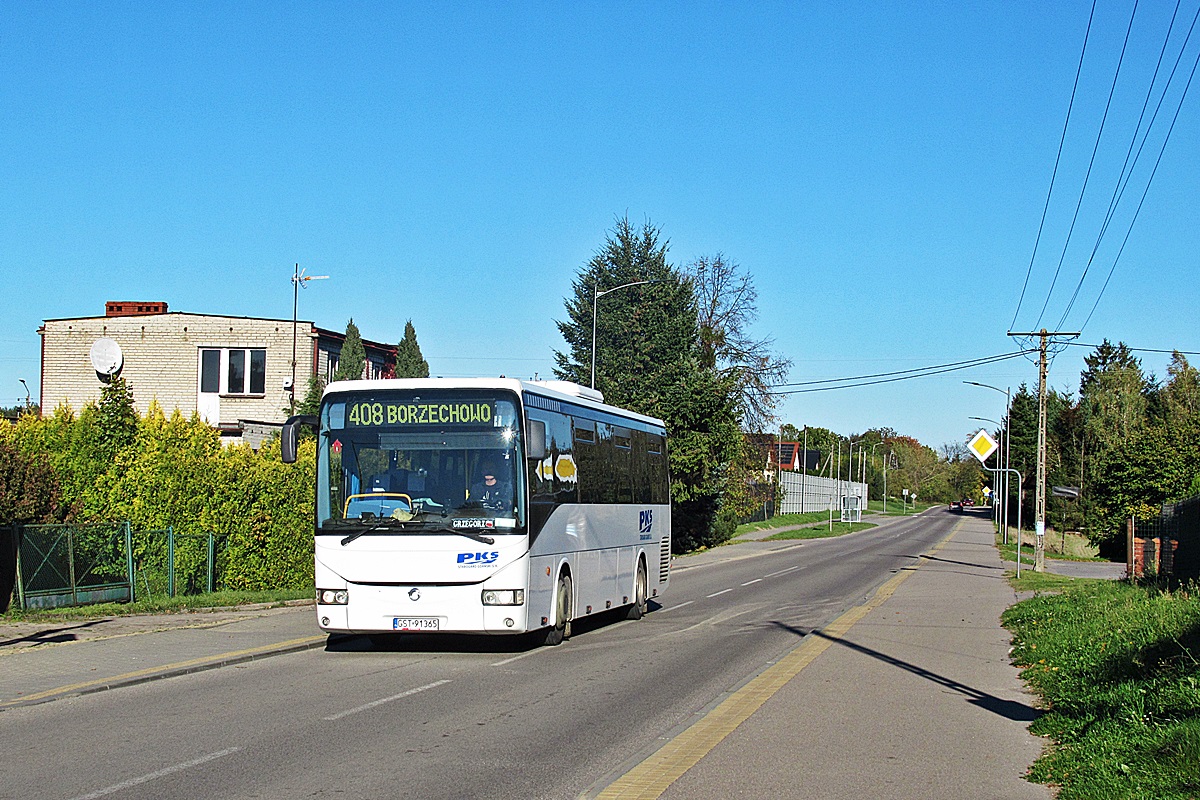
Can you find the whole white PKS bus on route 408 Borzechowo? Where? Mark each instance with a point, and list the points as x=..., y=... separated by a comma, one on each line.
x=484, y=507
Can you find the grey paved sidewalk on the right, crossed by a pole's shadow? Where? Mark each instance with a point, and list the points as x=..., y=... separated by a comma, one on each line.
x=913, y=696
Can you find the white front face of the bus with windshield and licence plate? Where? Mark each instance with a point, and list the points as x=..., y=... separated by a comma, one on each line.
x=421, y=510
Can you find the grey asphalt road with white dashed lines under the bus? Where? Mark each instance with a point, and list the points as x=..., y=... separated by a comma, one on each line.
x=454, y=718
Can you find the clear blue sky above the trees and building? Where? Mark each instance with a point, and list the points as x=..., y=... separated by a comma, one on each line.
x=879, y=169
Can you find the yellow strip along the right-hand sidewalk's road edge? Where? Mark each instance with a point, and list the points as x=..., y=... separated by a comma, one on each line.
x=652, y=778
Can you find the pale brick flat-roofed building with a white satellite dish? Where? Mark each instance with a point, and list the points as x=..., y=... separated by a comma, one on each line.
x=236, y=372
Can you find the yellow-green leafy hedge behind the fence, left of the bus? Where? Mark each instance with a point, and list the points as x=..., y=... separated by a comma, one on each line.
x=176, y=473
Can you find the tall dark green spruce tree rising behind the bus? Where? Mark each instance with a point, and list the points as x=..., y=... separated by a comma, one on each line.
x=649, y=359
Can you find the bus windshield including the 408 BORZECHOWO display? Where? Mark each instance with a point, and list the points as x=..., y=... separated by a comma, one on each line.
x=405, y=461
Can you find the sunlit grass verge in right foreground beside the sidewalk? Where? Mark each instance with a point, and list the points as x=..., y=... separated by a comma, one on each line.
x=1115, y=669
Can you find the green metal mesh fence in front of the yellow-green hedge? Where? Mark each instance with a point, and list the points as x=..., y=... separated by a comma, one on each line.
x=74, y=566
